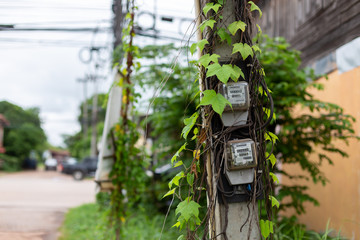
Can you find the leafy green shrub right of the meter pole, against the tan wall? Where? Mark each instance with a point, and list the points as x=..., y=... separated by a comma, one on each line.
x=317, y=124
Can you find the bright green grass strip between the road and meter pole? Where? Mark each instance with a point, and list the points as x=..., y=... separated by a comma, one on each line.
x=87, y=222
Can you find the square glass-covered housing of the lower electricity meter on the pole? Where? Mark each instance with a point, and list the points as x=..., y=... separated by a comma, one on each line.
x=240, y=154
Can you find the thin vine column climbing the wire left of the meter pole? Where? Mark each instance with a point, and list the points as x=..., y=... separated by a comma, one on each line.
x=127, y=173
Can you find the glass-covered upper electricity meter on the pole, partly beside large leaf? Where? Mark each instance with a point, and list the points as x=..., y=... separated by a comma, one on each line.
x=237, y=93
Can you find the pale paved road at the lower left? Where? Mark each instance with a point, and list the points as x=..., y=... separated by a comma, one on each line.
x=32, y=204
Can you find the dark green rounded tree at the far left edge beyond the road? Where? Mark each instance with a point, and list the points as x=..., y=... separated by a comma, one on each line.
x=24, y=133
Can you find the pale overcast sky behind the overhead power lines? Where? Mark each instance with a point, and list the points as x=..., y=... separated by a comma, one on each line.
x=39, y=69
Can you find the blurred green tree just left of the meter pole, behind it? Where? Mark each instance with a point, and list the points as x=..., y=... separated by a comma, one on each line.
x=176, y=98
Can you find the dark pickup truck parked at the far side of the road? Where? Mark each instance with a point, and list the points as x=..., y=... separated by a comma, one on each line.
x=87, y=167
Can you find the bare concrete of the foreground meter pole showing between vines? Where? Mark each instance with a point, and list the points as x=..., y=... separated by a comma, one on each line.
x=238, y=220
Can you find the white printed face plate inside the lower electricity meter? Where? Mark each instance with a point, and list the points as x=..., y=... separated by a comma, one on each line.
x=242, y=153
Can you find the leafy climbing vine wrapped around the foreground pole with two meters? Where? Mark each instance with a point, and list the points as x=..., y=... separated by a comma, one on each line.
x=210, y=135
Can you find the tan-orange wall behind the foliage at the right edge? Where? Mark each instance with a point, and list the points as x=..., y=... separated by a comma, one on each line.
x=339, y=199
